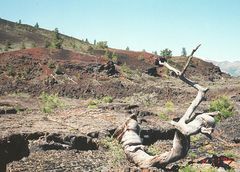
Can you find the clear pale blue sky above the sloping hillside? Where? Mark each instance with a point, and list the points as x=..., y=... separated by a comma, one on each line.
x=140, y=24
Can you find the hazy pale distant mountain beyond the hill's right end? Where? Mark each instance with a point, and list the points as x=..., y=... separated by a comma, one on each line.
x=233, y=68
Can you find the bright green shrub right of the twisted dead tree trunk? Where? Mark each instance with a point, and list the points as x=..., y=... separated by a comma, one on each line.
x=224, y=106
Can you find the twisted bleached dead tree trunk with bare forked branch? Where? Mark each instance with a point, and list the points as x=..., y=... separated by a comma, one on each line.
x=189, y=124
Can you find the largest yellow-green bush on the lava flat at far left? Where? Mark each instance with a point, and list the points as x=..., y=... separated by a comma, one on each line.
x=50, y=102
